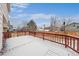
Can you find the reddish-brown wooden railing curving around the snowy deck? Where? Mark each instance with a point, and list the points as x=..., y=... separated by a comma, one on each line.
x=66, y=40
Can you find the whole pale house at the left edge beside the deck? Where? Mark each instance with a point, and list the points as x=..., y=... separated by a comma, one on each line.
x=4, y=9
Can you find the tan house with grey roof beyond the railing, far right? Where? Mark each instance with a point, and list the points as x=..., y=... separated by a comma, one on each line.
x=73, y=27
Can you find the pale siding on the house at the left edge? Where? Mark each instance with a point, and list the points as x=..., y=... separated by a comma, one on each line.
x=3, y=11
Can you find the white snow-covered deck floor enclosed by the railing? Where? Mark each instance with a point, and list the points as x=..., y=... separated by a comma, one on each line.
x=33, y=46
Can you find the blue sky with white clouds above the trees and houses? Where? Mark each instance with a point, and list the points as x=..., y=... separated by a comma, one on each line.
x=41, y=13
